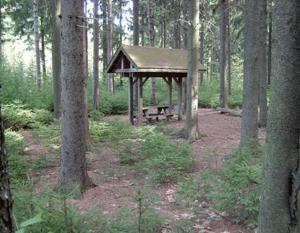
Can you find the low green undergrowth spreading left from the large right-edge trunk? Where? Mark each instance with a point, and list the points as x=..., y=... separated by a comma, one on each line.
x=233, y=189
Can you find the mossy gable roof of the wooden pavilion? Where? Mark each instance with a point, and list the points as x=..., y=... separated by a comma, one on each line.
x=150, y=58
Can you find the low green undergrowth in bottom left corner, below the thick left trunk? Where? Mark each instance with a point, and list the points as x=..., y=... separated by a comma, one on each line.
x=57, y=216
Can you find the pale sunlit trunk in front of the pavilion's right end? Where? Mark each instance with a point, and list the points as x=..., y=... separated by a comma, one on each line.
x=191, y=122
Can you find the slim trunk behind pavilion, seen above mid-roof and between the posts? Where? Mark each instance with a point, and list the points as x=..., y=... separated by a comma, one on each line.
x=152, y=44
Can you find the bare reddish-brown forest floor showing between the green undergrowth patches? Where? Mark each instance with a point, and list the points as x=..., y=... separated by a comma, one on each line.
x=116, y=182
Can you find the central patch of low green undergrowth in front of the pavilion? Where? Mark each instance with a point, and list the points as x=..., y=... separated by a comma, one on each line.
x=147, y=148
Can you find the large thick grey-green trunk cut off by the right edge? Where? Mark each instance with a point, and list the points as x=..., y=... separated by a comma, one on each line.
x=279, y=205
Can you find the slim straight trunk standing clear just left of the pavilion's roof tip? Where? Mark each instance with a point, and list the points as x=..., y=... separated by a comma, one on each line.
x=96, y=56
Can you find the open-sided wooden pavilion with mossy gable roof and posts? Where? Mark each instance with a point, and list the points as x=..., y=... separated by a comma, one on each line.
x=141, y=63
